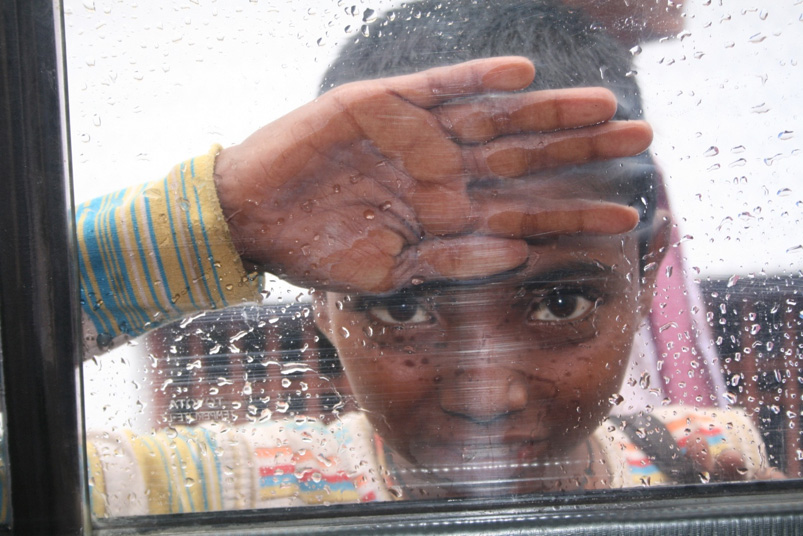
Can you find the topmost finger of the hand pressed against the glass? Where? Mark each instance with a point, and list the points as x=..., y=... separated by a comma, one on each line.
x=435, y=86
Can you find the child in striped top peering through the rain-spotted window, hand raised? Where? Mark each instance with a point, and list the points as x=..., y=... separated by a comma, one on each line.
x=481, y=256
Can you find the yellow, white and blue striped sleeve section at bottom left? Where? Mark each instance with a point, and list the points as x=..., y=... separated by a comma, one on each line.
x=174, y=470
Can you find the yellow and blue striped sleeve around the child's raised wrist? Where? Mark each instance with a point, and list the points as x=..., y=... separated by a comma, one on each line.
x=155, y=252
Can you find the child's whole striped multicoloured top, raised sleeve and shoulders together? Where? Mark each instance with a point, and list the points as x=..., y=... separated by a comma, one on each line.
x=154, y=253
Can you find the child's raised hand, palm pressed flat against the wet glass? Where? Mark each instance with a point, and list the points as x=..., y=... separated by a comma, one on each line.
x=366, y=187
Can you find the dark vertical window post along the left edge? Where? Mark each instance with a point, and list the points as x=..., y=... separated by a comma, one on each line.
x=39, y=304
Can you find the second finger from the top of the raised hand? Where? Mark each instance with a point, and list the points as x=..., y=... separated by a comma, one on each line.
x=539, y=111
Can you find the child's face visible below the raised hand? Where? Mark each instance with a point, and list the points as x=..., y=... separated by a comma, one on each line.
x=512, y=370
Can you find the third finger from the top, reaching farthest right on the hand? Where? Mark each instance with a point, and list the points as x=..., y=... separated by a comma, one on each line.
x=515, y=156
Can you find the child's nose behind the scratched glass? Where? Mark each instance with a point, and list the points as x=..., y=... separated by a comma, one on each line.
x=483, y=383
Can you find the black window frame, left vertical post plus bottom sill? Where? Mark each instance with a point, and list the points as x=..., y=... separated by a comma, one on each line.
x=41, y=341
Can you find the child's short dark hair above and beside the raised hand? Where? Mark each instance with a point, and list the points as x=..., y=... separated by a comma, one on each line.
x=567, y=50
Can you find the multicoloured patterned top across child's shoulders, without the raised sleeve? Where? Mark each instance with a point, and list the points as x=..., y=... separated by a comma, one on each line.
x=303, y=462
